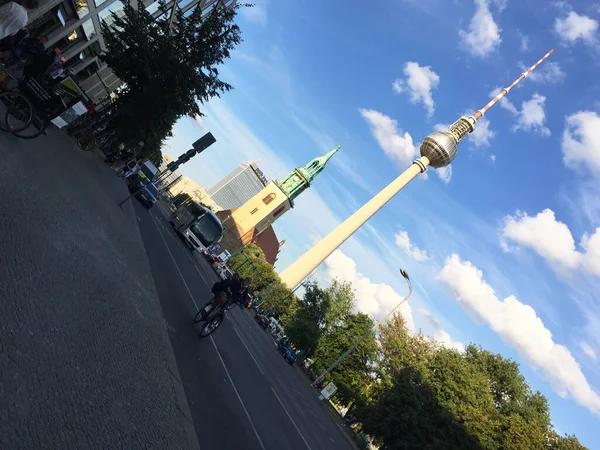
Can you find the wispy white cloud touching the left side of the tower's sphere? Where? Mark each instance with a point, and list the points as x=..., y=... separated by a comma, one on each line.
x=398, y=147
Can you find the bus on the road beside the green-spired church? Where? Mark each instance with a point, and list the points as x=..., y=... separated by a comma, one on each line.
x=197, y=225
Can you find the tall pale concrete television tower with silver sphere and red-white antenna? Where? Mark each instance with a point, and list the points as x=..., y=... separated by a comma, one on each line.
x=437, y=150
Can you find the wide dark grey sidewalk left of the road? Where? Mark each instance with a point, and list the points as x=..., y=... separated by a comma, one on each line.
x=85, y=358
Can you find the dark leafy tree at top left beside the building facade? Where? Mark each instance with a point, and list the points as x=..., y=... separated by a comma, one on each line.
x=175, y=68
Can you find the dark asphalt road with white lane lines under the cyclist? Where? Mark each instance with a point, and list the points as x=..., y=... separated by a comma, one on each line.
x=241, y=393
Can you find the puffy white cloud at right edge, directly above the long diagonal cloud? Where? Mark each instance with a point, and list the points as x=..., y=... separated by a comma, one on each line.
x=553, y=241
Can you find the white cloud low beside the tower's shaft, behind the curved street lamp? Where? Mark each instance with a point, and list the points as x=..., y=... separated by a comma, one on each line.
x=372, y=298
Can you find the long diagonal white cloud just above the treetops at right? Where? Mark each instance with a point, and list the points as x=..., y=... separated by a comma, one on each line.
x=519, y=326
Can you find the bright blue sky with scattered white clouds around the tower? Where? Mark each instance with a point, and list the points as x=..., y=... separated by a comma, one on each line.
x=503, y=248
